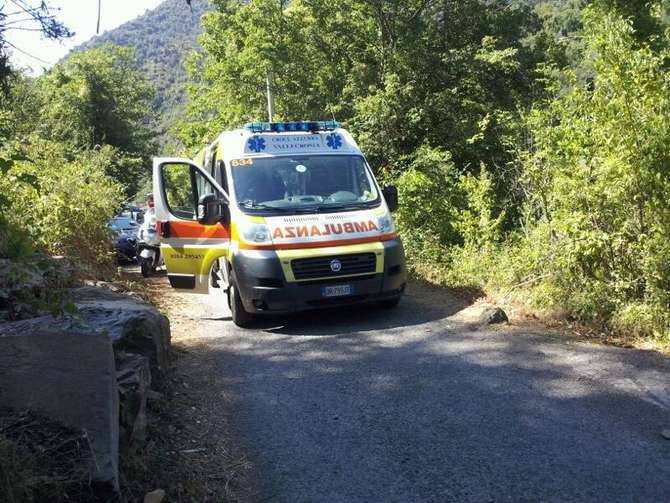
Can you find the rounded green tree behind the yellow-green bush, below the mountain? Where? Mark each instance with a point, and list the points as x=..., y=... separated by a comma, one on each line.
x=99, y=98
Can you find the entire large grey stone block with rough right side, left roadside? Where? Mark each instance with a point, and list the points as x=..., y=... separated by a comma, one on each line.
x=66, y=369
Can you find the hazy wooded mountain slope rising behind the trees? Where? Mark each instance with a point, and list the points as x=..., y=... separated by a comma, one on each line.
x=162, y=39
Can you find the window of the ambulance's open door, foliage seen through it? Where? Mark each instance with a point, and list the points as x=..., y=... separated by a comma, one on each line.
x=184, y=185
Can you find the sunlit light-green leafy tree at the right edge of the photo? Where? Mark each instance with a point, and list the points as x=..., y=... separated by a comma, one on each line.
x=597, y=178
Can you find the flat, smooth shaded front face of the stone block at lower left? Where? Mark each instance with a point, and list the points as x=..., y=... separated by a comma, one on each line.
x=66, y=371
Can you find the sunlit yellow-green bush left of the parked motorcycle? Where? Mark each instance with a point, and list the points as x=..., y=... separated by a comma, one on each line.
x=67, y=210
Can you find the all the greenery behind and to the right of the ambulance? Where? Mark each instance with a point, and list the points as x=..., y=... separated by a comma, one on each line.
x=529, y=139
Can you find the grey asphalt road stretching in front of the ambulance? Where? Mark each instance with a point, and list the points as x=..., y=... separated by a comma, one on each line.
x=412, y=405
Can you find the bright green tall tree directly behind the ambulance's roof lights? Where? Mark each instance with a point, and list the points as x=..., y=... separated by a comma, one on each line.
x=242, y=43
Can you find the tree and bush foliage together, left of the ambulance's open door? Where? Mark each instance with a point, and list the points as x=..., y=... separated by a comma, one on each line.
x=73, y=144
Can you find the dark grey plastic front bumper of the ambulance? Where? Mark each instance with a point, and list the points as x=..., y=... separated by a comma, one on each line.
x=264, y=289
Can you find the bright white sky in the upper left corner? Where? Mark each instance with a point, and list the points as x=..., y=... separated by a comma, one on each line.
x=80, y=16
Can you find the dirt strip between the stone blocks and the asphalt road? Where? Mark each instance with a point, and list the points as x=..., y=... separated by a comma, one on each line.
x=192, y=454
